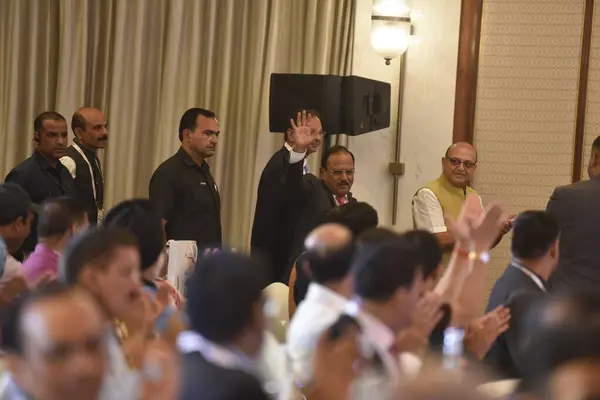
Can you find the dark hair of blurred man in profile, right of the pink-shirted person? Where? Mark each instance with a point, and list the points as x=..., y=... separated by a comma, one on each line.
x=93, y=247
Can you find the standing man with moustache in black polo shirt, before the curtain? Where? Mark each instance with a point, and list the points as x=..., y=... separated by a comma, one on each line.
x=182, y=188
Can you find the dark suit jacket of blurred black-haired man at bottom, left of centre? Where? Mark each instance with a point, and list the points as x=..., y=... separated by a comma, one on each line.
x=206, y=381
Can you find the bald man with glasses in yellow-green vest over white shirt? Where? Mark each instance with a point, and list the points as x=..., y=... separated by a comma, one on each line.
x=445, y=195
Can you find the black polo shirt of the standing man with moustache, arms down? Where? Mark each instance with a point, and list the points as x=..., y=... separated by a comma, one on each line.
x=187, y=197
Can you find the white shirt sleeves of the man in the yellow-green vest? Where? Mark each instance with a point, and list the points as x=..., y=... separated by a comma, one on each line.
x=428, y=213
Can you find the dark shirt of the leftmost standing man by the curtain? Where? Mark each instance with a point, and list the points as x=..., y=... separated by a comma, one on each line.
x=41, y=181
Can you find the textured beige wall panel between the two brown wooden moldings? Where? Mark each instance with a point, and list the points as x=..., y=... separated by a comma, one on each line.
x=526, y=103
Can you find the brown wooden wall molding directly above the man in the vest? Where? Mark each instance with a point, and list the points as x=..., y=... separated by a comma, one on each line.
x=466, y=72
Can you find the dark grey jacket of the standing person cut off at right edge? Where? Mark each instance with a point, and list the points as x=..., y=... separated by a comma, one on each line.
x=575, y=207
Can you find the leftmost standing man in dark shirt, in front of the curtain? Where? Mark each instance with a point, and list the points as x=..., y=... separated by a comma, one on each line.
x=42, y=175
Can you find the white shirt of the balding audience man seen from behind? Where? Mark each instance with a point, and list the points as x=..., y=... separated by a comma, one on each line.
x=315, y=314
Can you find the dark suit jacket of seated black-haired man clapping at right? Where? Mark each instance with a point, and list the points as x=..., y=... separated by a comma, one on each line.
x=517, y=291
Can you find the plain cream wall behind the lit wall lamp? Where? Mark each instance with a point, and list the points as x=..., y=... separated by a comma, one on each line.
x=429, y=90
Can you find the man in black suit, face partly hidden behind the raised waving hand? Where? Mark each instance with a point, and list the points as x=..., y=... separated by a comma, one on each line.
x=273, y=221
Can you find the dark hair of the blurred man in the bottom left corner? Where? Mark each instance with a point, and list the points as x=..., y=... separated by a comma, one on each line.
x=12, y=334
